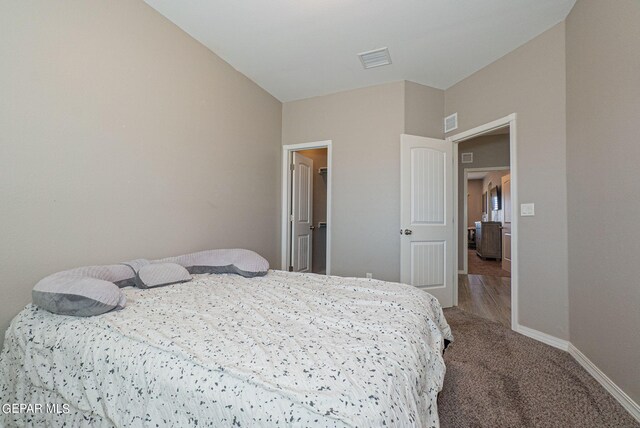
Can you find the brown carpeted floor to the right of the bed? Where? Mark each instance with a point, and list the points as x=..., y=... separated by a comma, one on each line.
x=499, y=378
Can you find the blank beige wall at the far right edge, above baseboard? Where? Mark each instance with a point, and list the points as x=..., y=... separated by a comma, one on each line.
x=603, y=107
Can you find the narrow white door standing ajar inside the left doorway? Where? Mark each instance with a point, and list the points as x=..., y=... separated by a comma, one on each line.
x=302, y=213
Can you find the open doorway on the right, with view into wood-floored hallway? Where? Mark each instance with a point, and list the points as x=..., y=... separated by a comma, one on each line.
x=487, y=281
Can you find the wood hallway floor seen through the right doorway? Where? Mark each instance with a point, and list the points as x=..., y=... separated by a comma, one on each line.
x=486, y=296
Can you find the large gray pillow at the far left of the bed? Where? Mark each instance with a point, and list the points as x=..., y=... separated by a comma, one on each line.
x=69, y=293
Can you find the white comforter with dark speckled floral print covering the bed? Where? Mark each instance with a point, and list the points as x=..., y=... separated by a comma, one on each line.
x=285, y=349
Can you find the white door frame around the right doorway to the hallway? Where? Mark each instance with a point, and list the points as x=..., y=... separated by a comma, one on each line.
x=477, y=131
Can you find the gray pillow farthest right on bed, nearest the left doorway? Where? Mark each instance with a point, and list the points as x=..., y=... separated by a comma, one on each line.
x=242, y=262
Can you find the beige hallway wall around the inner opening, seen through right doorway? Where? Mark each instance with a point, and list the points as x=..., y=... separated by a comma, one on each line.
x=489, y=151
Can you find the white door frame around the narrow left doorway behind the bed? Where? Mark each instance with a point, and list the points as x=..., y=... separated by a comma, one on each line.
x=285, y=232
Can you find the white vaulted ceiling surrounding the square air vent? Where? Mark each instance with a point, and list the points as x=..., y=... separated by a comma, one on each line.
x=302, y=48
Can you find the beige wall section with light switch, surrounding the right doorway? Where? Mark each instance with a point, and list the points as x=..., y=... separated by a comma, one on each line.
x=530, y=81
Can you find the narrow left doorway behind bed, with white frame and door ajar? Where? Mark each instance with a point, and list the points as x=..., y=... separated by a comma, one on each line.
x=306, y=208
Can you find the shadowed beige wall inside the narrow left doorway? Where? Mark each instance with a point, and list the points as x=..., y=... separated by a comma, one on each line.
x=319, y=255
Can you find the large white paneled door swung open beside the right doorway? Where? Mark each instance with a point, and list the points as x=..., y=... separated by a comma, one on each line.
x=426, y=215
